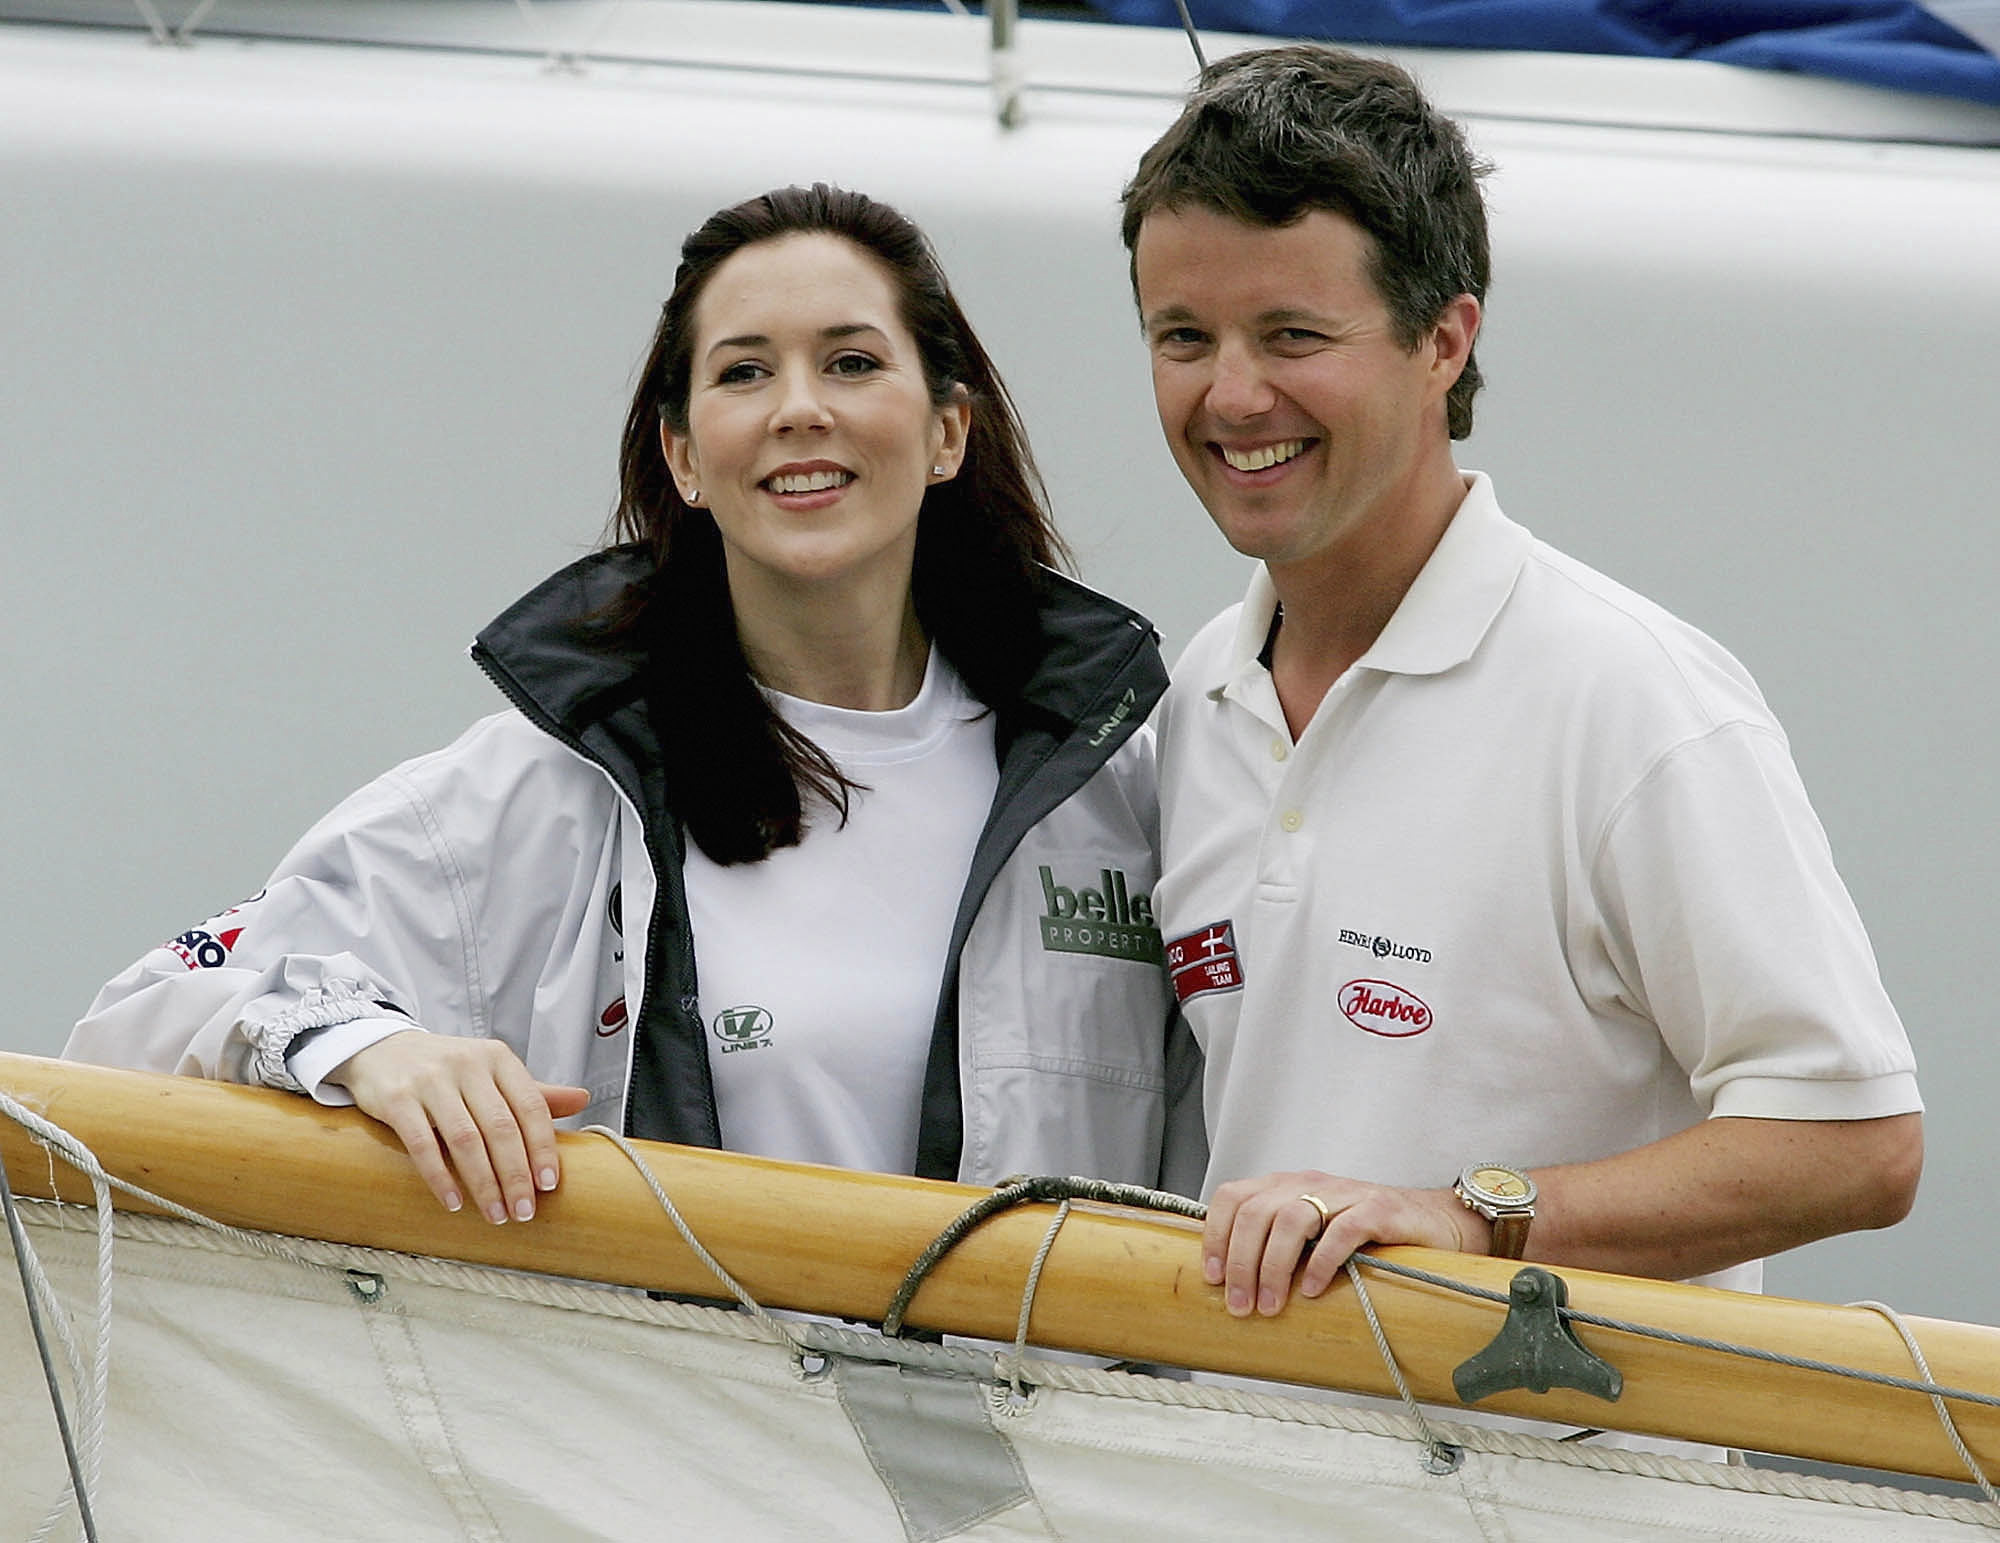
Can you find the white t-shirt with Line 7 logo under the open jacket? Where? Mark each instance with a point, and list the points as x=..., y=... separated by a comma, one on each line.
x=819, y=968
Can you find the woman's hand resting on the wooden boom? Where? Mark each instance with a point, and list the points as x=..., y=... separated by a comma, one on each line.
x=495, y=1120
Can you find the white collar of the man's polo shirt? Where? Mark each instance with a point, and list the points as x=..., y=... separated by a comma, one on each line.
x=1441, y=621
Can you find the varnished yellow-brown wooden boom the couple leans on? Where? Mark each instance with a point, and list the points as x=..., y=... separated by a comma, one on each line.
x=1119, y=1284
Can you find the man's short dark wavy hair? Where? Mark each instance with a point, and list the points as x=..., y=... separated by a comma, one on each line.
x=1277, y=133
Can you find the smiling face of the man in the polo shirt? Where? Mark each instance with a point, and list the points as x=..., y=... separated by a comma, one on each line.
x=1285, y=397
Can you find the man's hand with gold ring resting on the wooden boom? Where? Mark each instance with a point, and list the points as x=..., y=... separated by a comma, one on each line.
x=1259, y=1230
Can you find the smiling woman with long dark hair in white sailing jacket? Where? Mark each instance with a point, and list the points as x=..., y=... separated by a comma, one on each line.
x=825, y=723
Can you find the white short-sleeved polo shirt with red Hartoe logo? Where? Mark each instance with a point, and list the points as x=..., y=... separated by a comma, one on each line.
x=1537, y=884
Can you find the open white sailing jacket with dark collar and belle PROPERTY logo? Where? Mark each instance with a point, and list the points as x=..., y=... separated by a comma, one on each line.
x=525, y=884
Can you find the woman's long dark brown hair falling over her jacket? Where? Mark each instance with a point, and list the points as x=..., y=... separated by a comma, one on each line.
x=735, y=771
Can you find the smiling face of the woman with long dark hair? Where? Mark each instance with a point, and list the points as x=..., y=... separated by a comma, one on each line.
x=811, y=431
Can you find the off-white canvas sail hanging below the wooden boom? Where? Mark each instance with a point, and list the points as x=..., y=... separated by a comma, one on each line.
x=333, y=1392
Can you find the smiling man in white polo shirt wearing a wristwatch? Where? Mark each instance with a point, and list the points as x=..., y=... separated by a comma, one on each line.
x=1491, y=888
